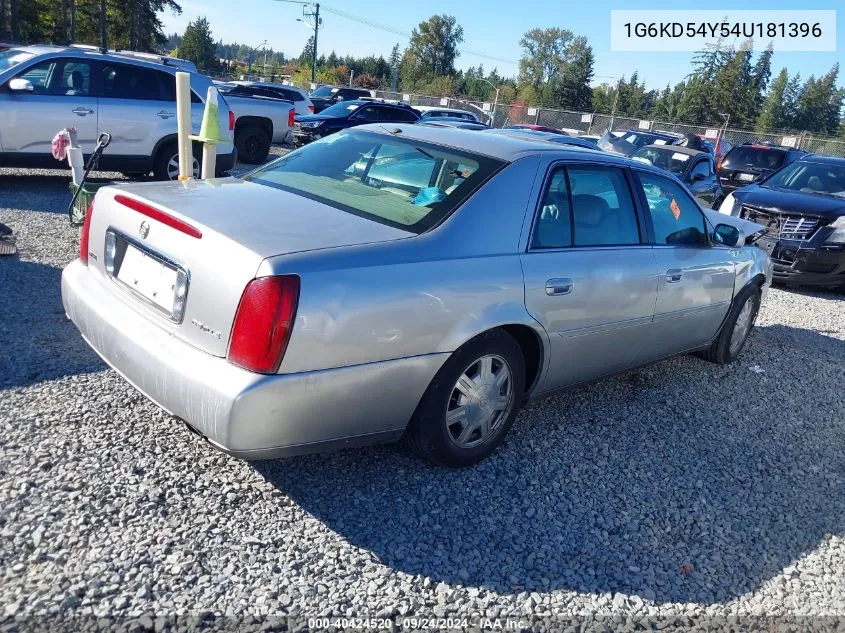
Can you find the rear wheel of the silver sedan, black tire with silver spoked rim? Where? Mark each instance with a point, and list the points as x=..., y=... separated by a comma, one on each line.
x=485, y=418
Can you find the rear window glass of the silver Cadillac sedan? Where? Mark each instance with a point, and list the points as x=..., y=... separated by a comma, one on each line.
x=388, y=179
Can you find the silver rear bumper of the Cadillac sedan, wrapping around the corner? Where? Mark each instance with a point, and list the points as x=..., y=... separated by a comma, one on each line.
x=247, y=415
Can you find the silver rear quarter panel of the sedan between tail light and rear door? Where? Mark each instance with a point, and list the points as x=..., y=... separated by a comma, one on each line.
x=422, y=295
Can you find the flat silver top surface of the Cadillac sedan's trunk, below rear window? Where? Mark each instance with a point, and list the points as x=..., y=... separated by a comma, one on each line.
x=263, y=219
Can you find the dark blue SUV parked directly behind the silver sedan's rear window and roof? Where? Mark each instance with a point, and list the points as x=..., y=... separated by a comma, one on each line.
x=349, y=114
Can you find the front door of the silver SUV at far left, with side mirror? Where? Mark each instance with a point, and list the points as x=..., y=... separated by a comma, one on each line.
x=62, y=97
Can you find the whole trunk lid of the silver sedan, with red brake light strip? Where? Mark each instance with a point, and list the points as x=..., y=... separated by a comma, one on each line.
x=149, y=239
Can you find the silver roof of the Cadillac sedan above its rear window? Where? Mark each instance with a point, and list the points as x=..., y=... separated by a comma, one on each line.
x=506, y=147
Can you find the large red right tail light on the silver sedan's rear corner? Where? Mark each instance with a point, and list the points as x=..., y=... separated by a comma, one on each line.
x=263, y=323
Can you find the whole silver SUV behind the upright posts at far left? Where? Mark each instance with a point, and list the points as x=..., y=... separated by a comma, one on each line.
x=44, y=89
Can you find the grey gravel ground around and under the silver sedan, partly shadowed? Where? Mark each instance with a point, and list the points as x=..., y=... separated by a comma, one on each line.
x=682, y=489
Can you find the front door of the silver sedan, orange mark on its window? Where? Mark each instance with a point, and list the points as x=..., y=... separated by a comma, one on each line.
x=696, y=277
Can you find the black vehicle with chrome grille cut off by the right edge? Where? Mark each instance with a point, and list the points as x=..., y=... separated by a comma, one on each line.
x=803, y=207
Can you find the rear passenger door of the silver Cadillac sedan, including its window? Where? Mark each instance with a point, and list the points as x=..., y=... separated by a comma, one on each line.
x=590, y=278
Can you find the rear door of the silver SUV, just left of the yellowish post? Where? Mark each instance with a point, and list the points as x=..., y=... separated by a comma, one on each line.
x=137, y=107
